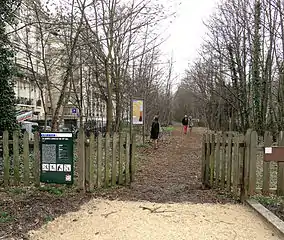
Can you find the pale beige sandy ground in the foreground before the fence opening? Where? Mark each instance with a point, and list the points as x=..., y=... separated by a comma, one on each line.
x=106, y=220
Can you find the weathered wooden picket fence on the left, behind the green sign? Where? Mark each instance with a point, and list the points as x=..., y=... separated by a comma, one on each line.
x=99, y=162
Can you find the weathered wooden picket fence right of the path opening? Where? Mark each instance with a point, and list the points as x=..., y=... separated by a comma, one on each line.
x=231, y=161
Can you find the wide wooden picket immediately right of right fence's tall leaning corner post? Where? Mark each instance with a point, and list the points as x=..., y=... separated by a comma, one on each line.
x=252, y=163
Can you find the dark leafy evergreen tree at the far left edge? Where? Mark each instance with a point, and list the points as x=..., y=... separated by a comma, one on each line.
x=7, y=95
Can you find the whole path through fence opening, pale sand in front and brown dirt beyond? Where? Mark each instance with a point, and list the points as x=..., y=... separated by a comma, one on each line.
x=166, y=202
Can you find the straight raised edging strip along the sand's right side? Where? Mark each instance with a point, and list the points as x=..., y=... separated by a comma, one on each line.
x=274, y=221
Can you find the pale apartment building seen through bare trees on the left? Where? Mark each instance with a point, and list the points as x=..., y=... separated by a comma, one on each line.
x=30, y=82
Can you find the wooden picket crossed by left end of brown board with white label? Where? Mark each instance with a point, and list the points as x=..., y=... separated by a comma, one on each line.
x=266, y=165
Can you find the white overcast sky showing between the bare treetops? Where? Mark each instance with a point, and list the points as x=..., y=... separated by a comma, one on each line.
x=186, y=32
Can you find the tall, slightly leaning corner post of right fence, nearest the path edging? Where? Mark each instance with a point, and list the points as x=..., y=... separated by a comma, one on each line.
x=245, y=177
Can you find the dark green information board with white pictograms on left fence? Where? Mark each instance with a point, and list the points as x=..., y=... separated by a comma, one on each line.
x=56, y=150
